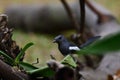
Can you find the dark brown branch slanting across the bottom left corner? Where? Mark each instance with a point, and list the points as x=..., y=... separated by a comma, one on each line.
x=9, y=73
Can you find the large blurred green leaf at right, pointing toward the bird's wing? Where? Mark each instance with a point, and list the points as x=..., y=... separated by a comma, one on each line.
x=109, y=43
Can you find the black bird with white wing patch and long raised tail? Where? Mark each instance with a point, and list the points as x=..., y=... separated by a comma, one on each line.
x=67, y=47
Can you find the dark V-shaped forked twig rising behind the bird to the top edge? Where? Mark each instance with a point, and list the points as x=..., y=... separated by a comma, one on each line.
x=80, y=30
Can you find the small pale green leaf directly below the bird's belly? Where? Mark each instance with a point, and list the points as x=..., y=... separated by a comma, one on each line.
x=69, y=61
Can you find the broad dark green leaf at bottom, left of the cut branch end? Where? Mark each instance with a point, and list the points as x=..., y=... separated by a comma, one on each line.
x=41, y=72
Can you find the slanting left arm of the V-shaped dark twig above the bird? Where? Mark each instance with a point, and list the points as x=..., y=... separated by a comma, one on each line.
x=71, y=15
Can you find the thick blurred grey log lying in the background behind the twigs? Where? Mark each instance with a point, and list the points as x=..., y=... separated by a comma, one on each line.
x=51, y=18
